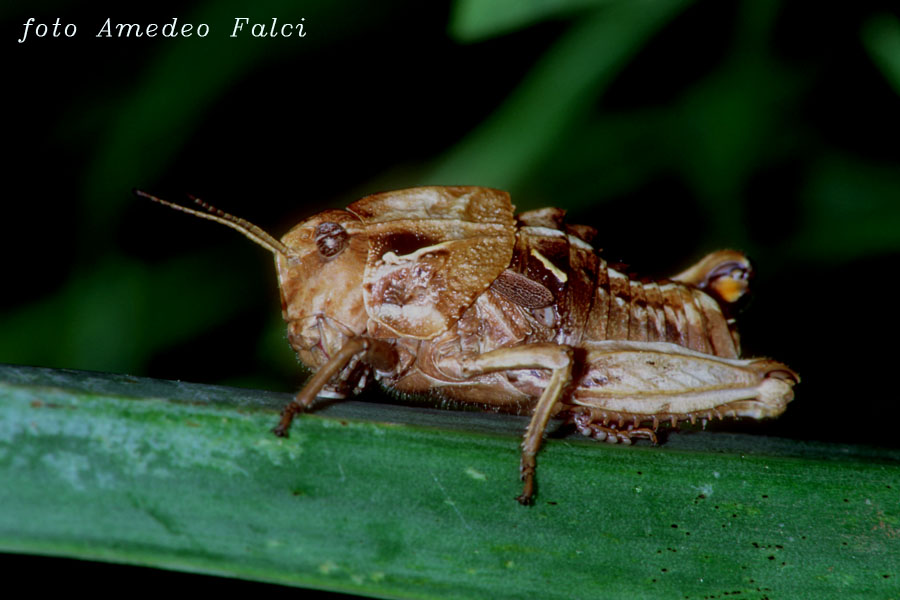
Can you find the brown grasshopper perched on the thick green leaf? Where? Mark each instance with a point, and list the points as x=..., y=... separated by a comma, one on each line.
x=444, y=291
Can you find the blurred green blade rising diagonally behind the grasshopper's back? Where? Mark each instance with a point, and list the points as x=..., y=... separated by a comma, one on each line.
x=561, y=86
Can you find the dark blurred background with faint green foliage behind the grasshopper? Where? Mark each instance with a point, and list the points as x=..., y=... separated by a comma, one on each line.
x=673, y=126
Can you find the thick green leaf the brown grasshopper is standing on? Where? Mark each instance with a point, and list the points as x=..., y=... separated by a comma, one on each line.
x=417, y=503
